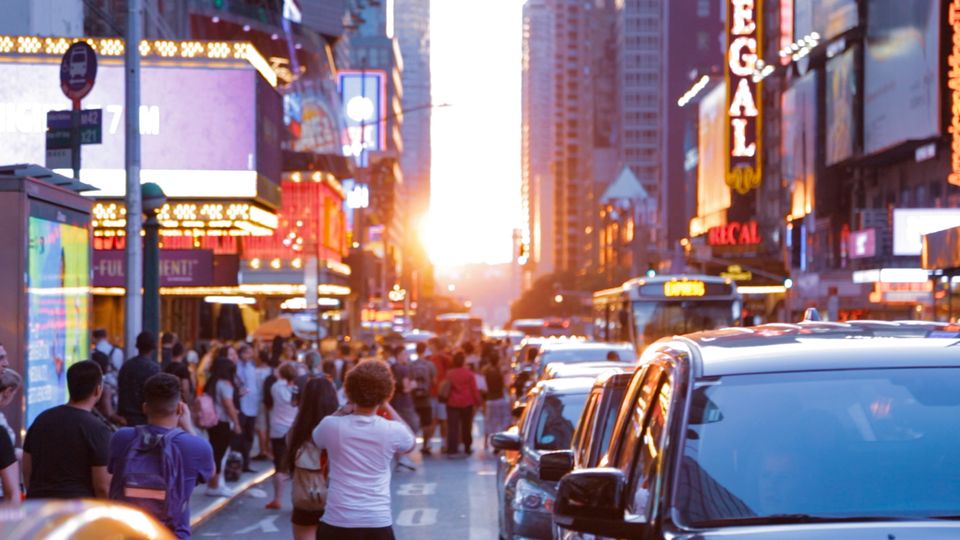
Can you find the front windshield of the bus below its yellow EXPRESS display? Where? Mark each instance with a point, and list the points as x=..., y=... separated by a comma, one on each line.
x=655, y=320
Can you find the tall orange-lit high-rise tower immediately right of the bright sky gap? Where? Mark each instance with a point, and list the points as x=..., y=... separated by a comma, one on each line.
x=562, y=77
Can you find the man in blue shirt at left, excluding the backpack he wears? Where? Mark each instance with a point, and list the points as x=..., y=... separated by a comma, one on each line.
x=165, y=410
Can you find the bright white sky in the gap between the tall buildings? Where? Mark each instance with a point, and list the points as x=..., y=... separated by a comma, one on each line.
x=475, y=64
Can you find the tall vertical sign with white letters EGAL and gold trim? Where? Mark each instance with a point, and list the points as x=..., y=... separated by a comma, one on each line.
x=744, y=99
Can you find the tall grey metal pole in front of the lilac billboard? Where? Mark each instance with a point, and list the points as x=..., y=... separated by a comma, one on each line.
x=134, y=249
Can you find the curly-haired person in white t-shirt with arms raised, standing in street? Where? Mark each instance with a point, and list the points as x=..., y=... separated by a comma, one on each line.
x=360, y=448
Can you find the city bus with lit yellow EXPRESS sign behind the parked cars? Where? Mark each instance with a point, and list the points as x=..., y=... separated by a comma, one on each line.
x=644, y=310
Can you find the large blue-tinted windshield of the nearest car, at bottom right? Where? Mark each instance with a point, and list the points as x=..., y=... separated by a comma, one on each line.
x=860, y=443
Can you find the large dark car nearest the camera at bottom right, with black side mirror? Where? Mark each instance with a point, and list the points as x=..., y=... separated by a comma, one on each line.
x=810, y=430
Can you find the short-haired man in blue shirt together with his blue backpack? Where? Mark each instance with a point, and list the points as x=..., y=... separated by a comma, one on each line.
x=156, y=466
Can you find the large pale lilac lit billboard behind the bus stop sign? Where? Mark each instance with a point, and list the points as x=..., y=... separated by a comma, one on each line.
x=199, y=126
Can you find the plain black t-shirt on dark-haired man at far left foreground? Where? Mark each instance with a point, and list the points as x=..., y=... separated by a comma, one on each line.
x=64, y=443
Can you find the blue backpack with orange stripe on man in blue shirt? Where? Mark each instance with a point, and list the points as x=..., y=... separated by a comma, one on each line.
x=150, y=476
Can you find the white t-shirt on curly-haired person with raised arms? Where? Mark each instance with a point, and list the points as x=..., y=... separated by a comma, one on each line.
x=360, y=451
